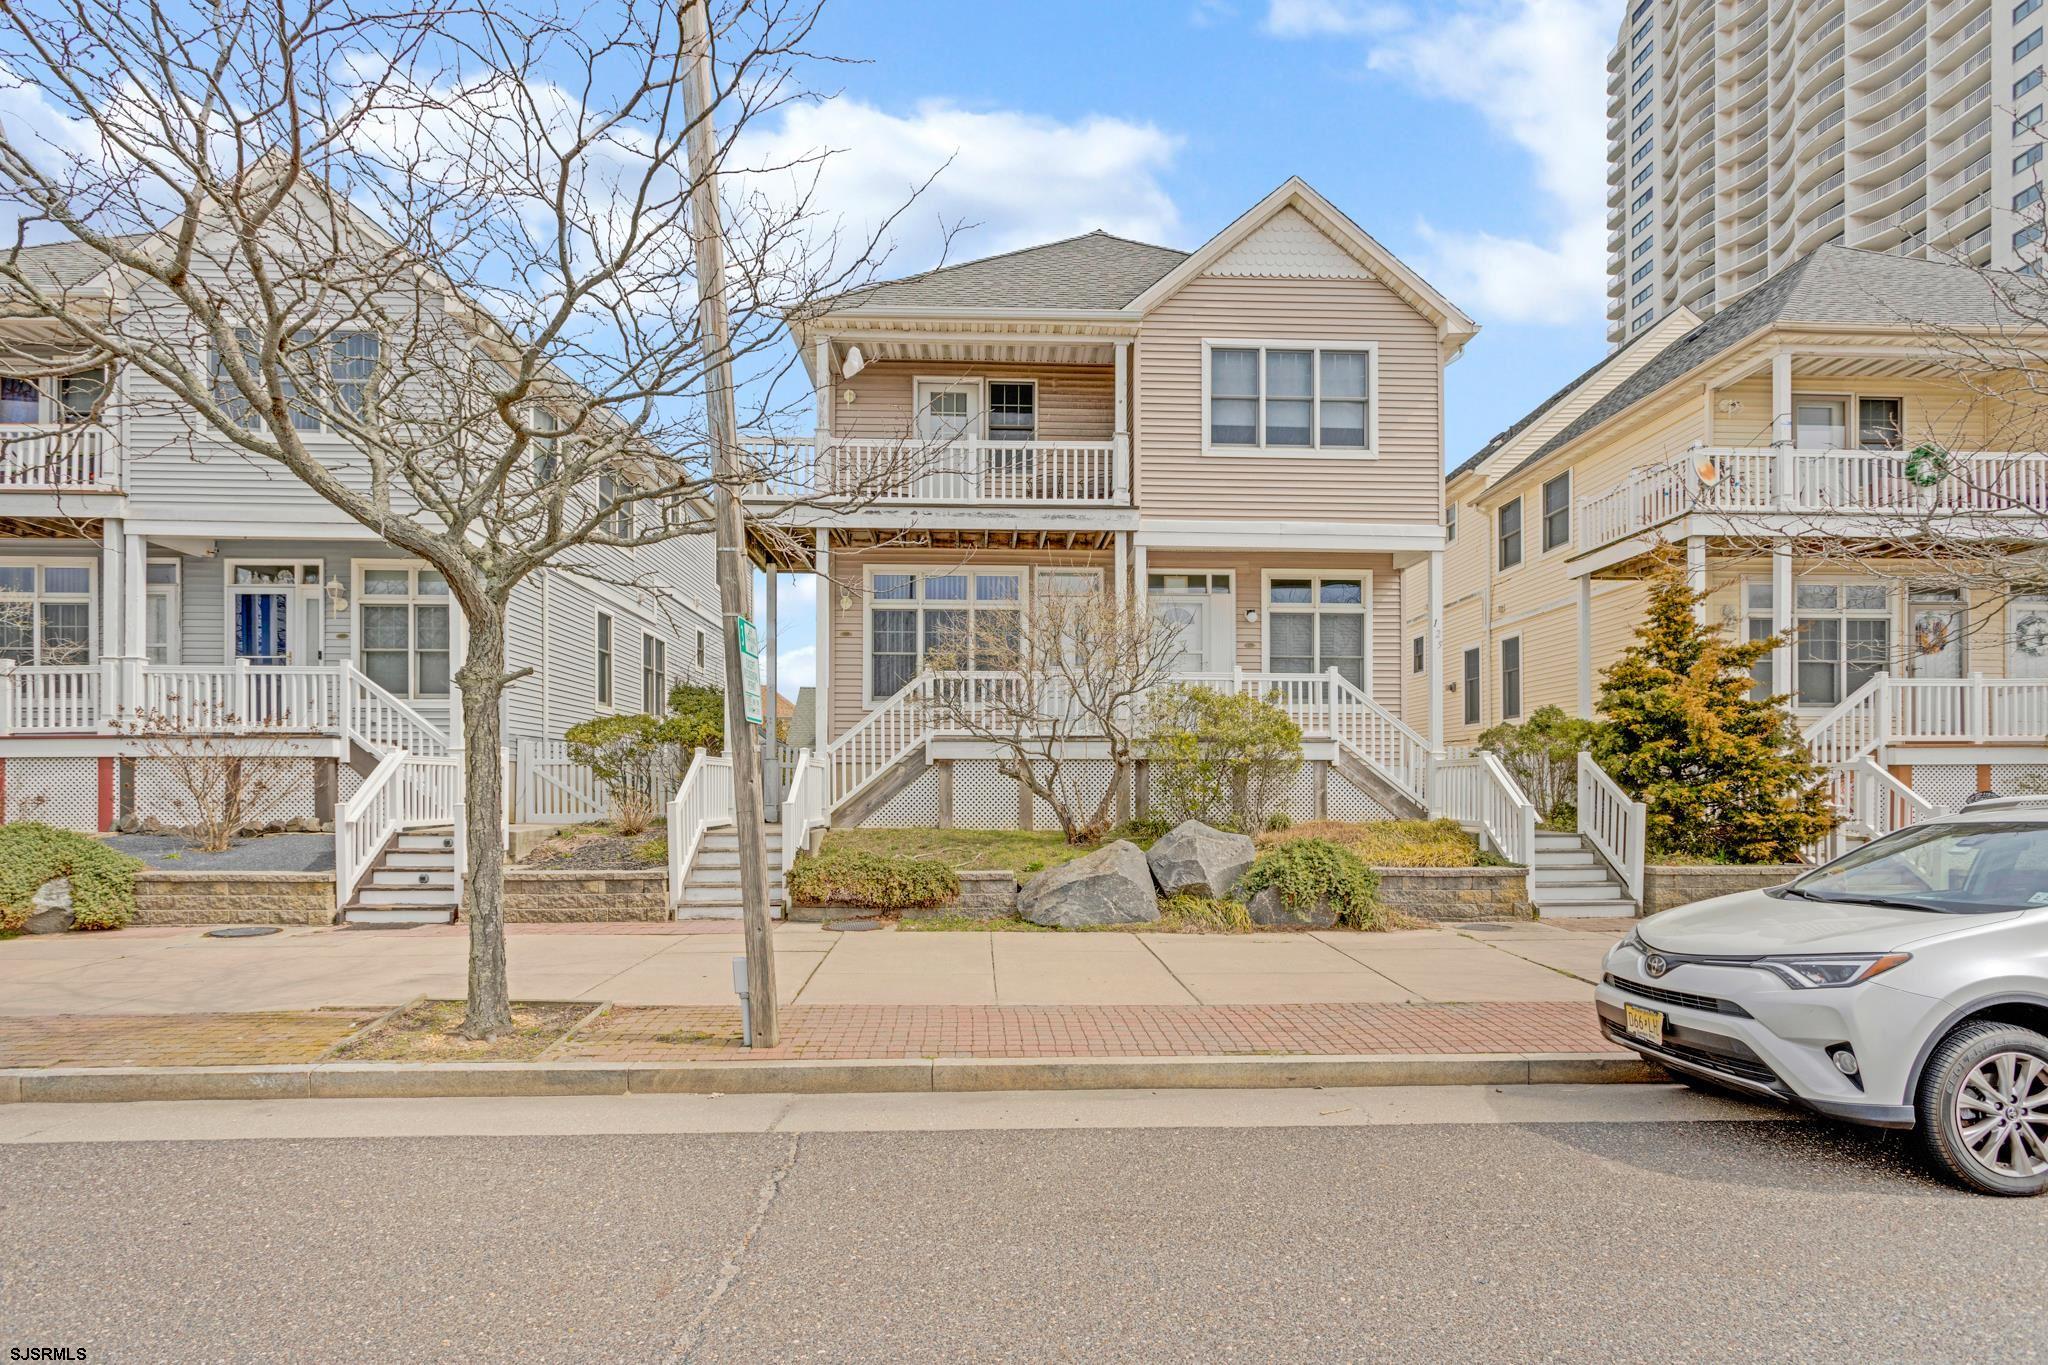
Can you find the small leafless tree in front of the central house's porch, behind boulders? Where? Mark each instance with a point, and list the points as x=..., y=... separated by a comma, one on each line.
x=1060, y=682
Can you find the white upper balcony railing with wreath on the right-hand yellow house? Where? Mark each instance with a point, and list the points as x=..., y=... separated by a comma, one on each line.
x=1994, y=486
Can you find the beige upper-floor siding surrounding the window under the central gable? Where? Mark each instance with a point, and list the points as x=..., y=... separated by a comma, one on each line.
x=1177, y=480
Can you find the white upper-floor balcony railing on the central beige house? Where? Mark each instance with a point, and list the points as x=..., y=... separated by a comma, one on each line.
x=962, y=472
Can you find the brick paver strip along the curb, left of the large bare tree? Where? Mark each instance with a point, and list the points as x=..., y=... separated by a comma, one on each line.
x=271, y=1039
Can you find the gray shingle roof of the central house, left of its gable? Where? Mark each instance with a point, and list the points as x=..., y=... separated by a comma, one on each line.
x=1093, y=271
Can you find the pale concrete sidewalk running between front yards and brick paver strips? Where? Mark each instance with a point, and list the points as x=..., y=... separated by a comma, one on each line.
x=689, y=965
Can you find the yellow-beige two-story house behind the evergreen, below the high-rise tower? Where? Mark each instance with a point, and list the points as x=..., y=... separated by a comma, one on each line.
x=1828, y=457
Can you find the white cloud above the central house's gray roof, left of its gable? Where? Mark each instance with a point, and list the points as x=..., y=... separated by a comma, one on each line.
x=1023, y=179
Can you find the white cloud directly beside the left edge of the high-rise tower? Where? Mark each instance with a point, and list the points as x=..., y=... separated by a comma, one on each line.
x=1535, y=71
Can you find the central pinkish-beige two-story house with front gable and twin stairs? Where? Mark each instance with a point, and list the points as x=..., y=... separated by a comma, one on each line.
x=1246, y=437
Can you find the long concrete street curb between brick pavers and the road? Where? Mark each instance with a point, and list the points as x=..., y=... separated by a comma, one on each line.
x=69, y=1086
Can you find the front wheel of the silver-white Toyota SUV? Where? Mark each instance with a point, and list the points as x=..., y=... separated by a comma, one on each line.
x=1983, y=1108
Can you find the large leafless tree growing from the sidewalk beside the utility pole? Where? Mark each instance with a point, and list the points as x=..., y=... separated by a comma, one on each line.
x=460, y=240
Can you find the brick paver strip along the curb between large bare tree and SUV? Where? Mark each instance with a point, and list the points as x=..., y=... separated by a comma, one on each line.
x=837, y=1032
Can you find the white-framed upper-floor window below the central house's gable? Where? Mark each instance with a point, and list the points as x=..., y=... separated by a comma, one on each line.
x=1275, y=396
